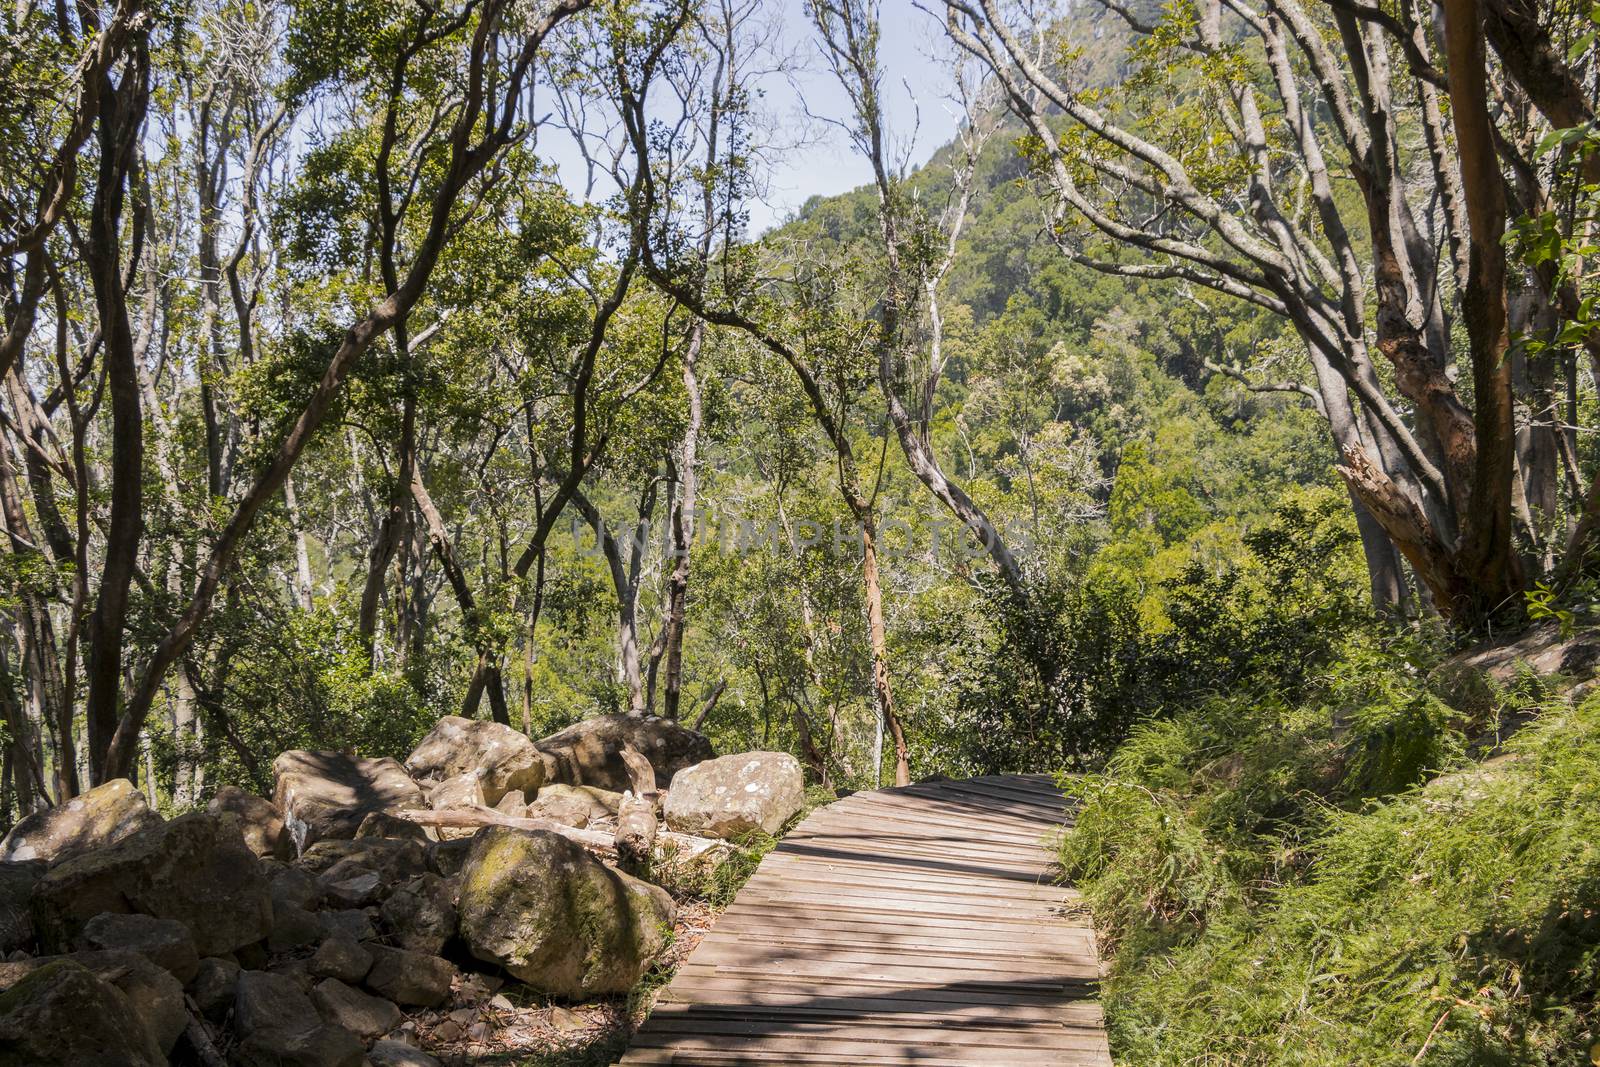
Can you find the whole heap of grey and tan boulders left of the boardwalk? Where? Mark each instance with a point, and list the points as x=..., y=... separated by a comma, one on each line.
x=316, y=927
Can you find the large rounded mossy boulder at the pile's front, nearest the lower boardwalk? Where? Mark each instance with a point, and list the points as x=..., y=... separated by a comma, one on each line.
x=556, y=917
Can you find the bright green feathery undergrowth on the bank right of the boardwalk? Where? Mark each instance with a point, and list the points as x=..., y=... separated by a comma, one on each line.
x=1343, y=882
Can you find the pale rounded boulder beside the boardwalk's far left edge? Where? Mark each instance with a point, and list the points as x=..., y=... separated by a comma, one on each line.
x=737, y=794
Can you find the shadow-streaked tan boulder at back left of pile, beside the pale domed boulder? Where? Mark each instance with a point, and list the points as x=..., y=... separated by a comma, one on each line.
x=330, y=794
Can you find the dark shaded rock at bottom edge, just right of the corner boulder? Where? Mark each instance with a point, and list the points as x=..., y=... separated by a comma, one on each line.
x=279, y=1026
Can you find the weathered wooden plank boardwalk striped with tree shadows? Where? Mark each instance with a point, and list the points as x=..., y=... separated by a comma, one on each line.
x=913, y=925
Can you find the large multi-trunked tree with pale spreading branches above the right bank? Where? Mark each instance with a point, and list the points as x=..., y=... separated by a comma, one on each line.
x=1441, y=490
